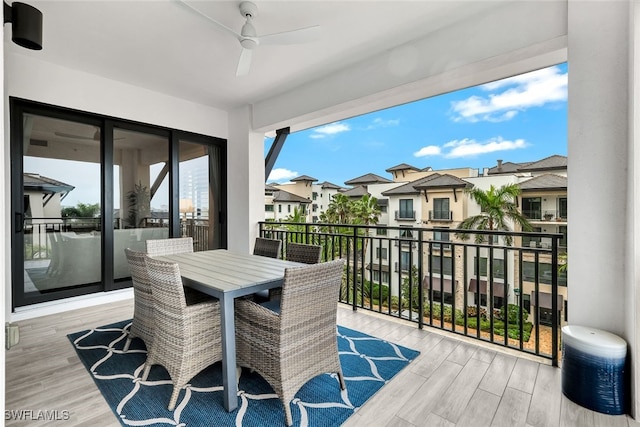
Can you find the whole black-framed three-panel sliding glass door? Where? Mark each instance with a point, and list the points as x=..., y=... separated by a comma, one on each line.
x=85, y=187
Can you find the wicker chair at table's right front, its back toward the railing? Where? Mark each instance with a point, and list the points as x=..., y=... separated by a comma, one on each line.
x=290, y=347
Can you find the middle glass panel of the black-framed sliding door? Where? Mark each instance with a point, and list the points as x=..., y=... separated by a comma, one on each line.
x=141, y=193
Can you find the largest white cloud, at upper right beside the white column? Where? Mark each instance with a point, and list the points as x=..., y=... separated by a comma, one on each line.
x=518, y=93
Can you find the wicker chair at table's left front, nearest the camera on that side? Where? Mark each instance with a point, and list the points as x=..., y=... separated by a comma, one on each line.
x=186, y=337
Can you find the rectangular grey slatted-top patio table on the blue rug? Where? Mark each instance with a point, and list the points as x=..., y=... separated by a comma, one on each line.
x=228, y=275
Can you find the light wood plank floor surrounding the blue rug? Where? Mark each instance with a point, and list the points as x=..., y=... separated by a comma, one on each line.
x=452, y=383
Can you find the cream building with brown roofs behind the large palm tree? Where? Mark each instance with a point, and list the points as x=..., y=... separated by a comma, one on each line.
x=438, y=200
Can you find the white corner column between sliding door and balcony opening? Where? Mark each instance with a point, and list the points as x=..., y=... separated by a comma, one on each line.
x=245, y=174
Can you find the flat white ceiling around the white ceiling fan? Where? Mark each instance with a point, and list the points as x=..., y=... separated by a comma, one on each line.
x=166, y=47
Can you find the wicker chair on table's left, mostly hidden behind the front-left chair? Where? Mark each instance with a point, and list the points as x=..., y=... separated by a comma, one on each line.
x=142, y=324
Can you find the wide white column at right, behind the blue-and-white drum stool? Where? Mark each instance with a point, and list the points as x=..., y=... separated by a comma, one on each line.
x=601, y=198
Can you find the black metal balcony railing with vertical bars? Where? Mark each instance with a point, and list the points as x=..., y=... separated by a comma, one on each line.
x=447, y=289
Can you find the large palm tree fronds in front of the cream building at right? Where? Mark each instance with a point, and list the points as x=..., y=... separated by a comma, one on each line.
x=497, y=210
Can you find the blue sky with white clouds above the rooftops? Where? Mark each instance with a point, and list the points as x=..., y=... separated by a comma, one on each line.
x=518, y=119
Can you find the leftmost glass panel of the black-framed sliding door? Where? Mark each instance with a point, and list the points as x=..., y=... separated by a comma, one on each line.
x=61, y=205
